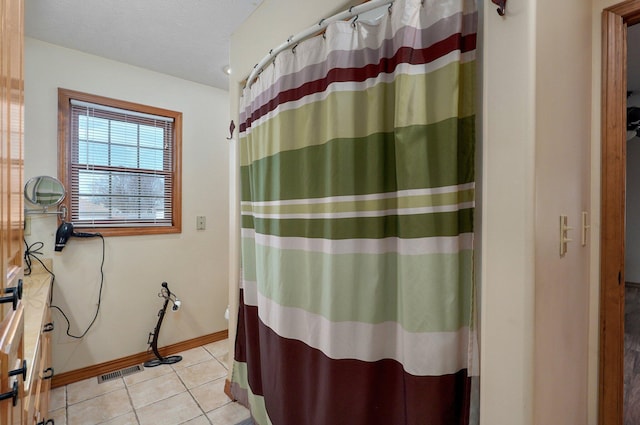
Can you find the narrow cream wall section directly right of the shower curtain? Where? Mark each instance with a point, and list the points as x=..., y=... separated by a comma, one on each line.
x=507, y=271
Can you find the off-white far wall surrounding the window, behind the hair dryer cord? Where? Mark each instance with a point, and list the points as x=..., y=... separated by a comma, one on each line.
x=194, y=263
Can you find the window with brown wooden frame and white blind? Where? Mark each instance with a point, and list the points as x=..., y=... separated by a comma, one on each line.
x=120, y=164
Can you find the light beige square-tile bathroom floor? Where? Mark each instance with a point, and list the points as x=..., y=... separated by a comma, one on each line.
x=189, y=392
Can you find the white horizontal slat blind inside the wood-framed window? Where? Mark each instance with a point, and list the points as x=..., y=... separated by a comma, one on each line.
x=121, y=167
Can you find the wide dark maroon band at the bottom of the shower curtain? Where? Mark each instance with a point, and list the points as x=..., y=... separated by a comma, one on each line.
x=301, y=385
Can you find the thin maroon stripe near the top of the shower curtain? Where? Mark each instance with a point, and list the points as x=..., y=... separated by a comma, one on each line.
x=404, y=55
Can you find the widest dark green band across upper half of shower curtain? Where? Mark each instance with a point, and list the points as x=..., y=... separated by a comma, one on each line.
x=426, y=155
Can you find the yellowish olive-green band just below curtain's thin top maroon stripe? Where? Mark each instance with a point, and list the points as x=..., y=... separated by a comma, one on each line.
x=316, y=119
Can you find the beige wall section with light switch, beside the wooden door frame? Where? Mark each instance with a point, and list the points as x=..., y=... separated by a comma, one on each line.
x=563, y=107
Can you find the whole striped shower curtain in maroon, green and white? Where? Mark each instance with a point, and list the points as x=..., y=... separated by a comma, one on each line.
x=357, y=173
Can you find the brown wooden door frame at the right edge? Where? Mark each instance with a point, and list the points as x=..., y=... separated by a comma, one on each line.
x=615, y=20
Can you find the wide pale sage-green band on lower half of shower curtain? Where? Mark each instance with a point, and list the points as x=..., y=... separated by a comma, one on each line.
x=412, y=290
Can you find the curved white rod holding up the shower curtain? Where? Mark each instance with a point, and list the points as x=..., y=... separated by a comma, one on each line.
x=319, y=27
